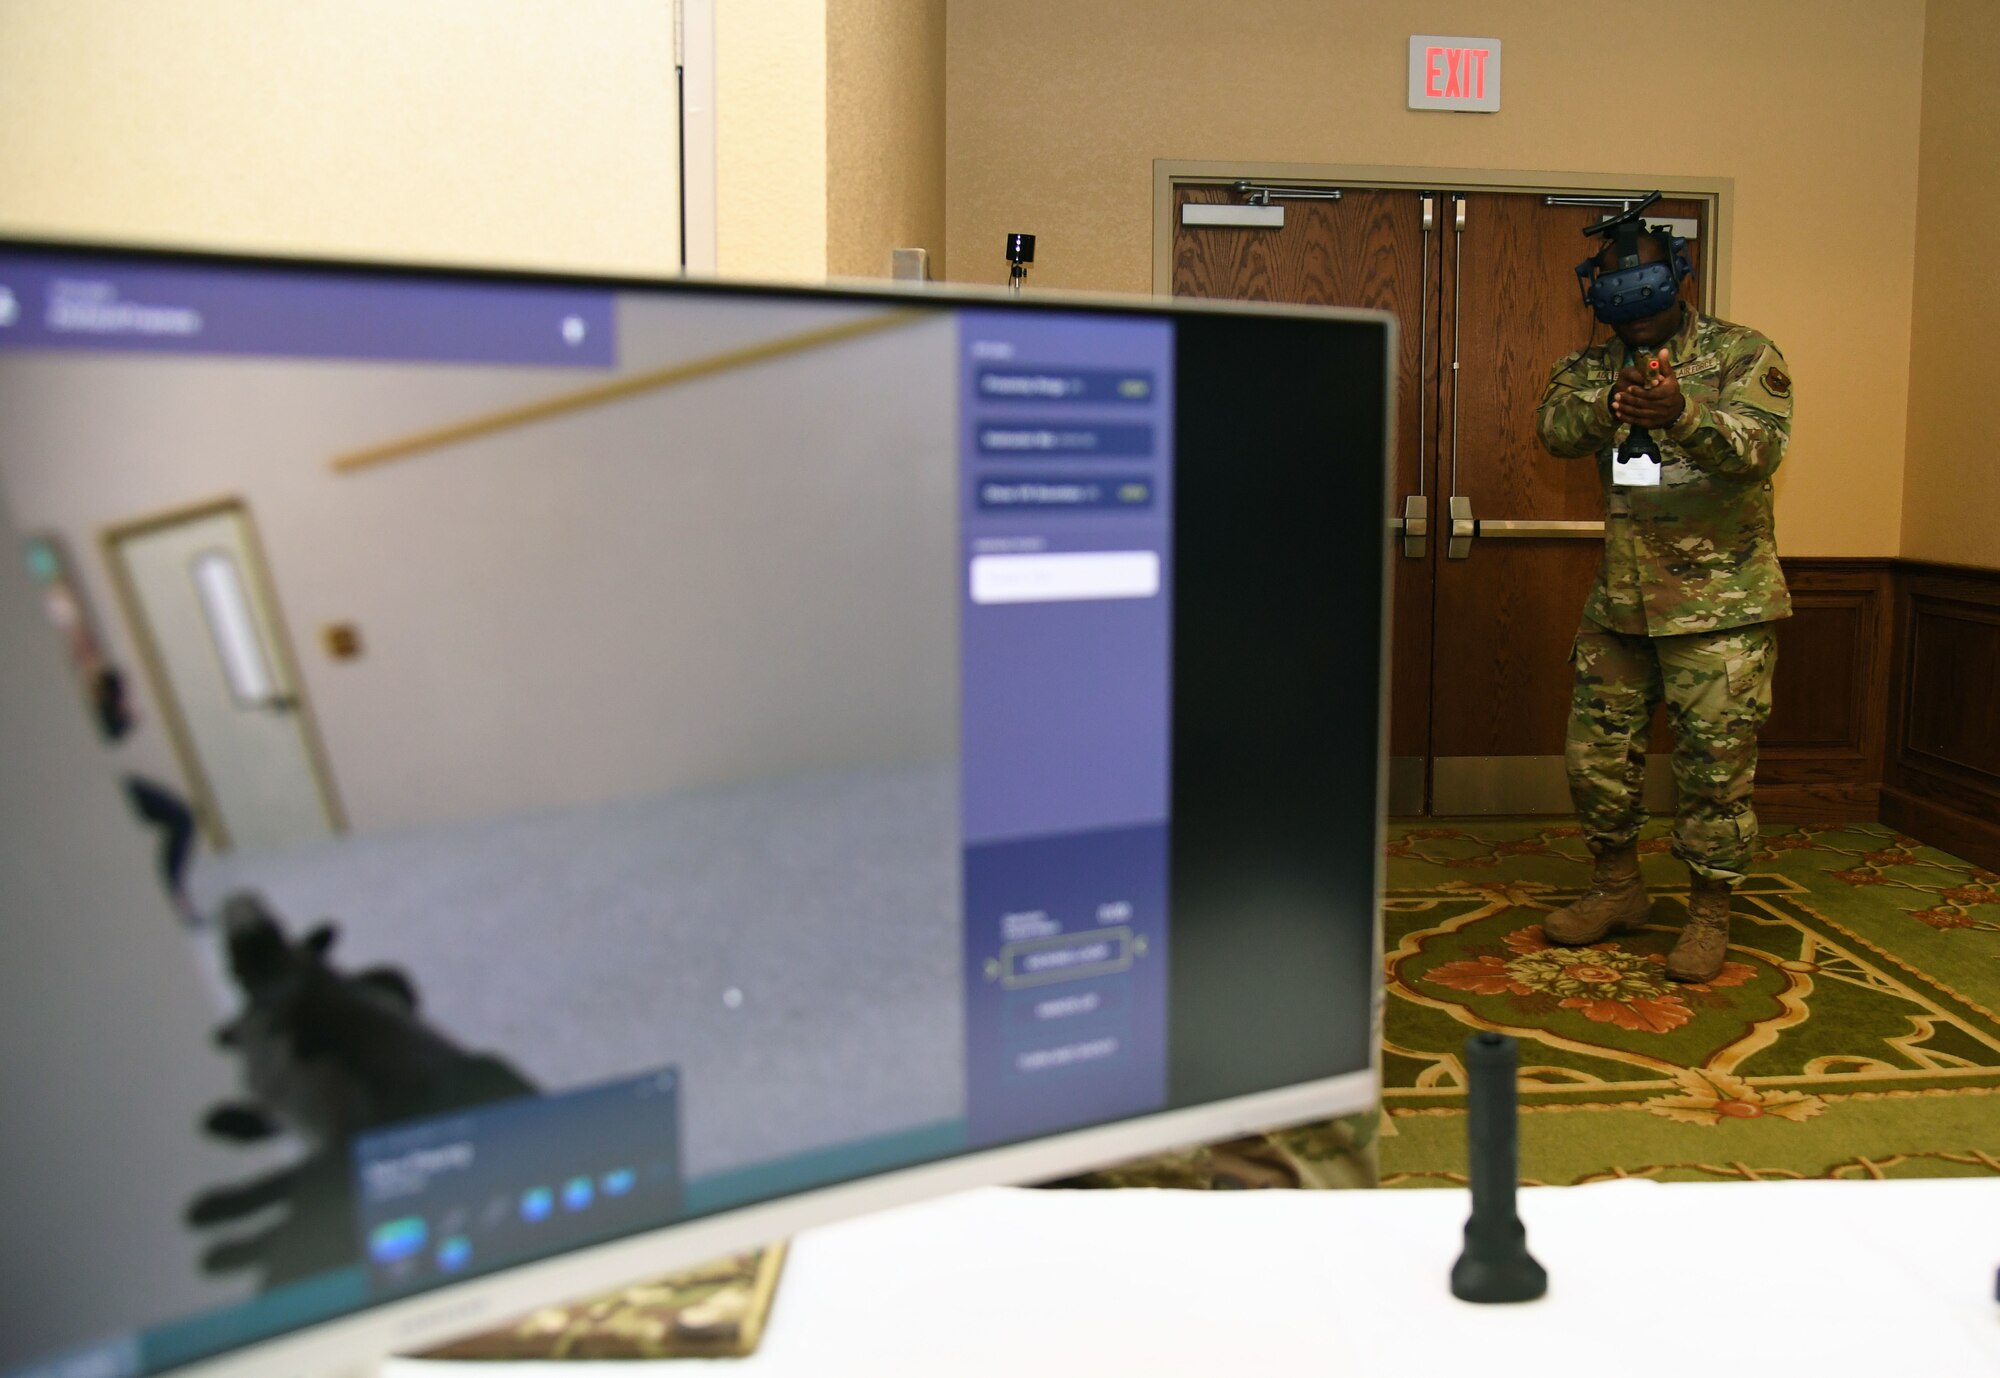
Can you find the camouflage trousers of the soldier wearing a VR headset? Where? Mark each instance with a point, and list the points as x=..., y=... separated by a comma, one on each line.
x=1717, y=691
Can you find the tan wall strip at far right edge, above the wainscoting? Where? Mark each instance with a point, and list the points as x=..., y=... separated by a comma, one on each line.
x=1953, y=479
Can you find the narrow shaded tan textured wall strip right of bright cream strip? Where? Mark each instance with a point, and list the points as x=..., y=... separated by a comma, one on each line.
x=885, y=133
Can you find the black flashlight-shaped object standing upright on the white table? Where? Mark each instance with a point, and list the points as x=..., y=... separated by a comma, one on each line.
x=1497, y=1265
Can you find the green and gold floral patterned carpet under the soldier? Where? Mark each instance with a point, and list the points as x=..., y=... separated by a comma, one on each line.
x=1851, y=1035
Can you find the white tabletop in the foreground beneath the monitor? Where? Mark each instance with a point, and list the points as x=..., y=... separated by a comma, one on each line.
x=1687, y=1281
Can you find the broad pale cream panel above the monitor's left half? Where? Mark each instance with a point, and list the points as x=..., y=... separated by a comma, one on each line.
x=451, y=131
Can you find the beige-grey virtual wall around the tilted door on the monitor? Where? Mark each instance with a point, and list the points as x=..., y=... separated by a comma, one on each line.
x=735, y=579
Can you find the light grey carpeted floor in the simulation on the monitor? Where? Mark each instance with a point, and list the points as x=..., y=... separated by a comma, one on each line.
x=797, y=937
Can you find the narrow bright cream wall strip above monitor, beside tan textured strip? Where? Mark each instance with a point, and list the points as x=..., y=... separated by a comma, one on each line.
x=771, y=139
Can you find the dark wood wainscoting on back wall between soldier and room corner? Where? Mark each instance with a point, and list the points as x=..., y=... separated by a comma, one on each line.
x=1821, y=755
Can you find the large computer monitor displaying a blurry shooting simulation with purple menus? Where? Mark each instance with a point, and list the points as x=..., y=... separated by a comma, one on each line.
x=519, y=783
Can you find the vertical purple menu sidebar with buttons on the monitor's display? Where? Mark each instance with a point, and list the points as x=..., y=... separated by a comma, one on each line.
x=1067, y=429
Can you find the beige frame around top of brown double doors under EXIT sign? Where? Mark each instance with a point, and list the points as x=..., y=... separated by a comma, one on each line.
x=1717, y=193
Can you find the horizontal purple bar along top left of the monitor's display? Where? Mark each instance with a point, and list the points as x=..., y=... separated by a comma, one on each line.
x=253, y=309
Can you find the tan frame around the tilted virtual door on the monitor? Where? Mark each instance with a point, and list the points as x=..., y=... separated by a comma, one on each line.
x=167, y=703
